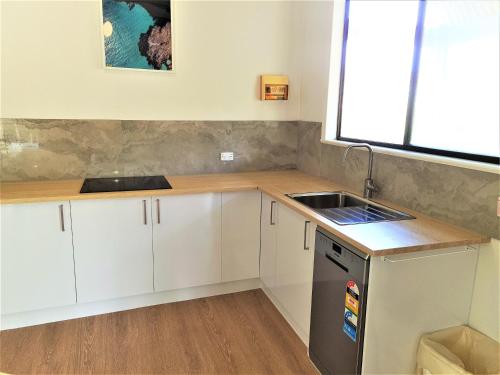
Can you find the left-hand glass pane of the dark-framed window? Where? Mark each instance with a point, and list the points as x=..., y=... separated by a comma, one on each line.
x=378, y=63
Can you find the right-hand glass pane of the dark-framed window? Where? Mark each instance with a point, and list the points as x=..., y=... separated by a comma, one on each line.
x=457, y=96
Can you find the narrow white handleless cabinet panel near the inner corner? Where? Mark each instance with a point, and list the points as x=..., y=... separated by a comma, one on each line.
x=240, y=235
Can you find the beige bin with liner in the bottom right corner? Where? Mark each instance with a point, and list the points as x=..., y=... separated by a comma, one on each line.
x=458, y=350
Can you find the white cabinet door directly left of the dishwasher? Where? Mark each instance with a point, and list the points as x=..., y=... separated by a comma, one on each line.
x=294, y=267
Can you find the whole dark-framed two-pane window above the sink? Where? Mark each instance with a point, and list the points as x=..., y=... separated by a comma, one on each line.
x=420, y=76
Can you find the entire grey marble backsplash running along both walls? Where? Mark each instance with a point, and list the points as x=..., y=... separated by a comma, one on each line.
x=95, y=148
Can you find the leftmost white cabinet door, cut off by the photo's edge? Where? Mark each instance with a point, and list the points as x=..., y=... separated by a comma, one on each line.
x=36, y=256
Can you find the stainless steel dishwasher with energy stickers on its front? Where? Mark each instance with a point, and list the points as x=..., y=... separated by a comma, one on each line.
x=340, y=285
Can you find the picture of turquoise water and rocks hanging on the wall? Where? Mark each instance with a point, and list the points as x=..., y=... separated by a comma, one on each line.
x=138, y=34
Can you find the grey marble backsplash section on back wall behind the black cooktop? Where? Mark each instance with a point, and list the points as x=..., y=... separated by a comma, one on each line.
x=96, y=148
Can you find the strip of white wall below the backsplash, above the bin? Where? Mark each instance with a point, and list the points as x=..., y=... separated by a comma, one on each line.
x=485, y=311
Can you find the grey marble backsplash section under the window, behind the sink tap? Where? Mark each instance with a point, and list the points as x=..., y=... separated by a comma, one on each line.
x=464, y=197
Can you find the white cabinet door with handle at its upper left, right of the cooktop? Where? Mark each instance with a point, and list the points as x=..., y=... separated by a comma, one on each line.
x=187, y=240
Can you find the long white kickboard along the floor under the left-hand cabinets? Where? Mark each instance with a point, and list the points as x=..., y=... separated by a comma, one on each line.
x=31, y=318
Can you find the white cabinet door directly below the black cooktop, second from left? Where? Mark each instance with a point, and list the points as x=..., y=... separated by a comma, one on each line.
x=113, y=252
